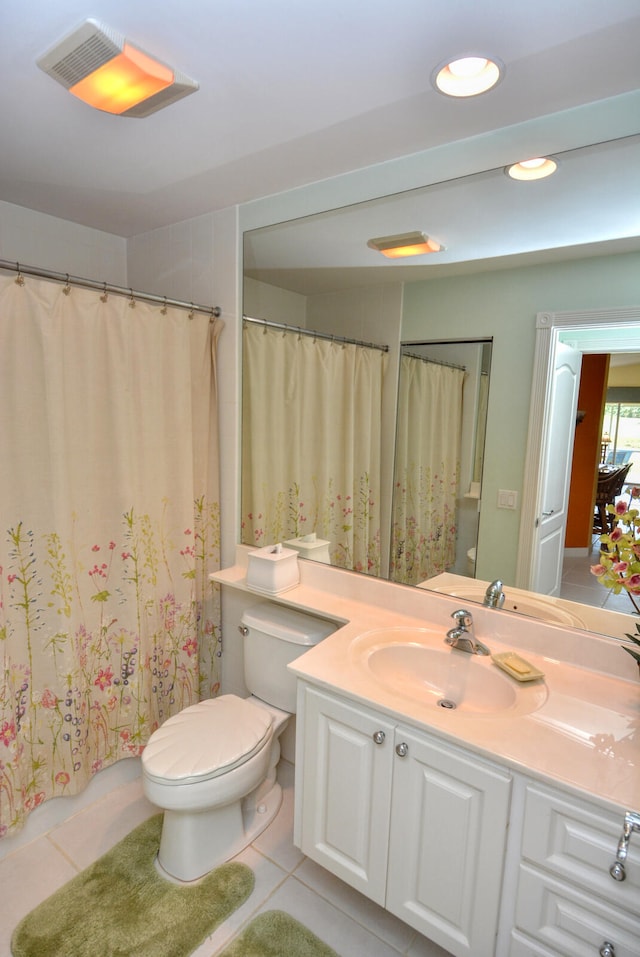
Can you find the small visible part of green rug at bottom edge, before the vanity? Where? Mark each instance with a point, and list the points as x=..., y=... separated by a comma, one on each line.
x=275, y=934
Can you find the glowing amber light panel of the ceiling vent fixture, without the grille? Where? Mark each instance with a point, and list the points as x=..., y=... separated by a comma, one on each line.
x=123, y=82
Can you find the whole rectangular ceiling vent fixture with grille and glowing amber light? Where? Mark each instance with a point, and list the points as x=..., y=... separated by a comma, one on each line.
x=105, y=70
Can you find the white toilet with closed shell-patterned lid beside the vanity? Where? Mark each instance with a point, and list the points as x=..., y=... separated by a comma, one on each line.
x=212, y=767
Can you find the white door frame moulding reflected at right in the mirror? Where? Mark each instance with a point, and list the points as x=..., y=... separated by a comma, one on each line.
x=594, y=331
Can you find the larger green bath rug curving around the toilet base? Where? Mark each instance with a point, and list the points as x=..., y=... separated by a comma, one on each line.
x=121, y=907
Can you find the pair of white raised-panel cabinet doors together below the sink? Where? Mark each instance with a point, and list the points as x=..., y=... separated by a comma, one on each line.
x=416, y=824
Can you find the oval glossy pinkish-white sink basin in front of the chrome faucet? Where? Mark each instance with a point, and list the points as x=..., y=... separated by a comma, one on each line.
x=411, y=663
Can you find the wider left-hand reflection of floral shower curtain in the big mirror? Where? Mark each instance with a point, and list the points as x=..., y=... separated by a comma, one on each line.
x=311, y=444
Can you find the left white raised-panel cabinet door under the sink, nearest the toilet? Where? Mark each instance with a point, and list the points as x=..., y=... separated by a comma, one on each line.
x=346, y=791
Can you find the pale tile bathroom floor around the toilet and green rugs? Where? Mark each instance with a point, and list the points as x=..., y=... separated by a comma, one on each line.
x=285, y=879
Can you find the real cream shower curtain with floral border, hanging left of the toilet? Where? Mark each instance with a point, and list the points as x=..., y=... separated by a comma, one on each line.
x=110, y=527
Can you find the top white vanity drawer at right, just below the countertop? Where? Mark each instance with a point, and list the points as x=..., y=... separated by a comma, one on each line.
x=578, y=841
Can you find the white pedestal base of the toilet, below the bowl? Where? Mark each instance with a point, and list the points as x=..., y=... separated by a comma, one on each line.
x=193, y=844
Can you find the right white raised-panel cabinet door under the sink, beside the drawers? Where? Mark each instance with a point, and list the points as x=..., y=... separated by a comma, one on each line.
x=448, y=836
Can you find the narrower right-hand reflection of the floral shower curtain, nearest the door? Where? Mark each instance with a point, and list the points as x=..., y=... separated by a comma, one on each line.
x=427, y=467
